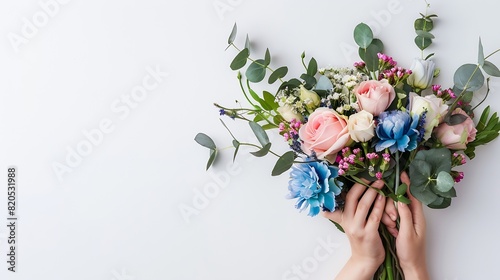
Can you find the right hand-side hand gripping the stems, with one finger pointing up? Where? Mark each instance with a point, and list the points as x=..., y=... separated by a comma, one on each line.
x=411, y=236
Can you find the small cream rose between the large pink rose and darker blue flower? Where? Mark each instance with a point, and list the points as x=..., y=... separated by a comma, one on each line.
x=361, y=126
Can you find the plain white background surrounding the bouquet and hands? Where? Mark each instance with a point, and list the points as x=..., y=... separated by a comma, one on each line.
x=116, y=213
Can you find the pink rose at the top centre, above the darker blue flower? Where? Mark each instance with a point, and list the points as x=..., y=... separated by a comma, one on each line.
x=374, y=96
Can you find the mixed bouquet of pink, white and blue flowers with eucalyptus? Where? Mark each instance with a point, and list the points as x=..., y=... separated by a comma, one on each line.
x=367, y=122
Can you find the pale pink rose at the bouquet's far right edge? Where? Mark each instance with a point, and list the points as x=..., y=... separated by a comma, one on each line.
x=456, y=137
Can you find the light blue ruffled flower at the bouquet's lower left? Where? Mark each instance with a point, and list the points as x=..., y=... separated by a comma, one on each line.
x=313, y=184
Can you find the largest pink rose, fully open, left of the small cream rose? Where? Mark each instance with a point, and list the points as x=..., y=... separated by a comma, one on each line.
x=325, y=133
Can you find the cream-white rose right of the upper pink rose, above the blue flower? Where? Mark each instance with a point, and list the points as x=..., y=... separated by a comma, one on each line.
x=435, y=107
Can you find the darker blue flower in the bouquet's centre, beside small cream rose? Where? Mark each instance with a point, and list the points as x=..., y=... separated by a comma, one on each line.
x=397, y=130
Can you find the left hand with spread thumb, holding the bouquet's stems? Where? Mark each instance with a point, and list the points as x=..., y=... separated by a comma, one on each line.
x=361, y=228
